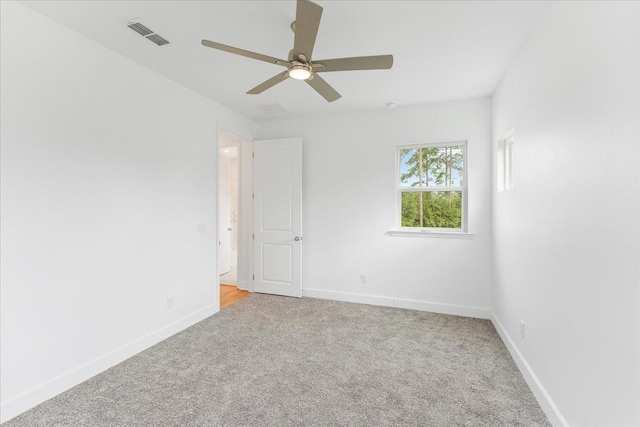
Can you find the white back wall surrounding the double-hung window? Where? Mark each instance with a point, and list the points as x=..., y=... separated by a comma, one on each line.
x=349, y=205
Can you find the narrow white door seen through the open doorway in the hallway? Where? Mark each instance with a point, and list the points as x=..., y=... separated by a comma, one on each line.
x=224, y=226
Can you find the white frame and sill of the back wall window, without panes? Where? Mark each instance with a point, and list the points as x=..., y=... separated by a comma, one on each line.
x=399, y=229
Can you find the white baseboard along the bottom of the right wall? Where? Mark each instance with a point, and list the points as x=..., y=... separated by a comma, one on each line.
x=550, y=409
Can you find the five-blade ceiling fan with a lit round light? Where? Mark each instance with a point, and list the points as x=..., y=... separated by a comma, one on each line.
x=299, y=65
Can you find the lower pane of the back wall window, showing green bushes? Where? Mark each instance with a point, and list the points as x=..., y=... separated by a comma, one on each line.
x=440, y=209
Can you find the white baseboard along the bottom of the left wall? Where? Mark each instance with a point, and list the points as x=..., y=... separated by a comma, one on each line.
x=61, y=383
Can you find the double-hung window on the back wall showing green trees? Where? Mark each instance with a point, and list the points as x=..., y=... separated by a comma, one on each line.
x=432, y=186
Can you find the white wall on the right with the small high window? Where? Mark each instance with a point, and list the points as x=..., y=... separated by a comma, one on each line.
x=566, y=240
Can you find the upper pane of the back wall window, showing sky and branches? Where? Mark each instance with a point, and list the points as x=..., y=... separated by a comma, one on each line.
x=432, y=166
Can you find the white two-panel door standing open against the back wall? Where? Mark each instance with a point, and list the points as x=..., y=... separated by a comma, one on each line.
x=277, y=186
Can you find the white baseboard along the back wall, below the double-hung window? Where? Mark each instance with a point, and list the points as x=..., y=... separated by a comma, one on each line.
x=435, y=307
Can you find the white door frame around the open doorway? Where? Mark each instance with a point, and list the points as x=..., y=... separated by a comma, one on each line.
x=245, y=209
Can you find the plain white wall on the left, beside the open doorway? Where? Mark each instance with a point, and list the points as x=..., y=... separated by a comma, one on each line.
x=107, y=170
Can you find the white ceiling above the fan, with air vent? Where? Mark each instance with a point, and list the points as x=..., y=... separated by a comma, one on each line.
x=442, y=50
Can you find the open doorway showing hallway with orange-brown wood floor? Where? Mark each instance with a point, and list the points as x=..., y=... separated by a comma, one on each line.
x=229, y=219
